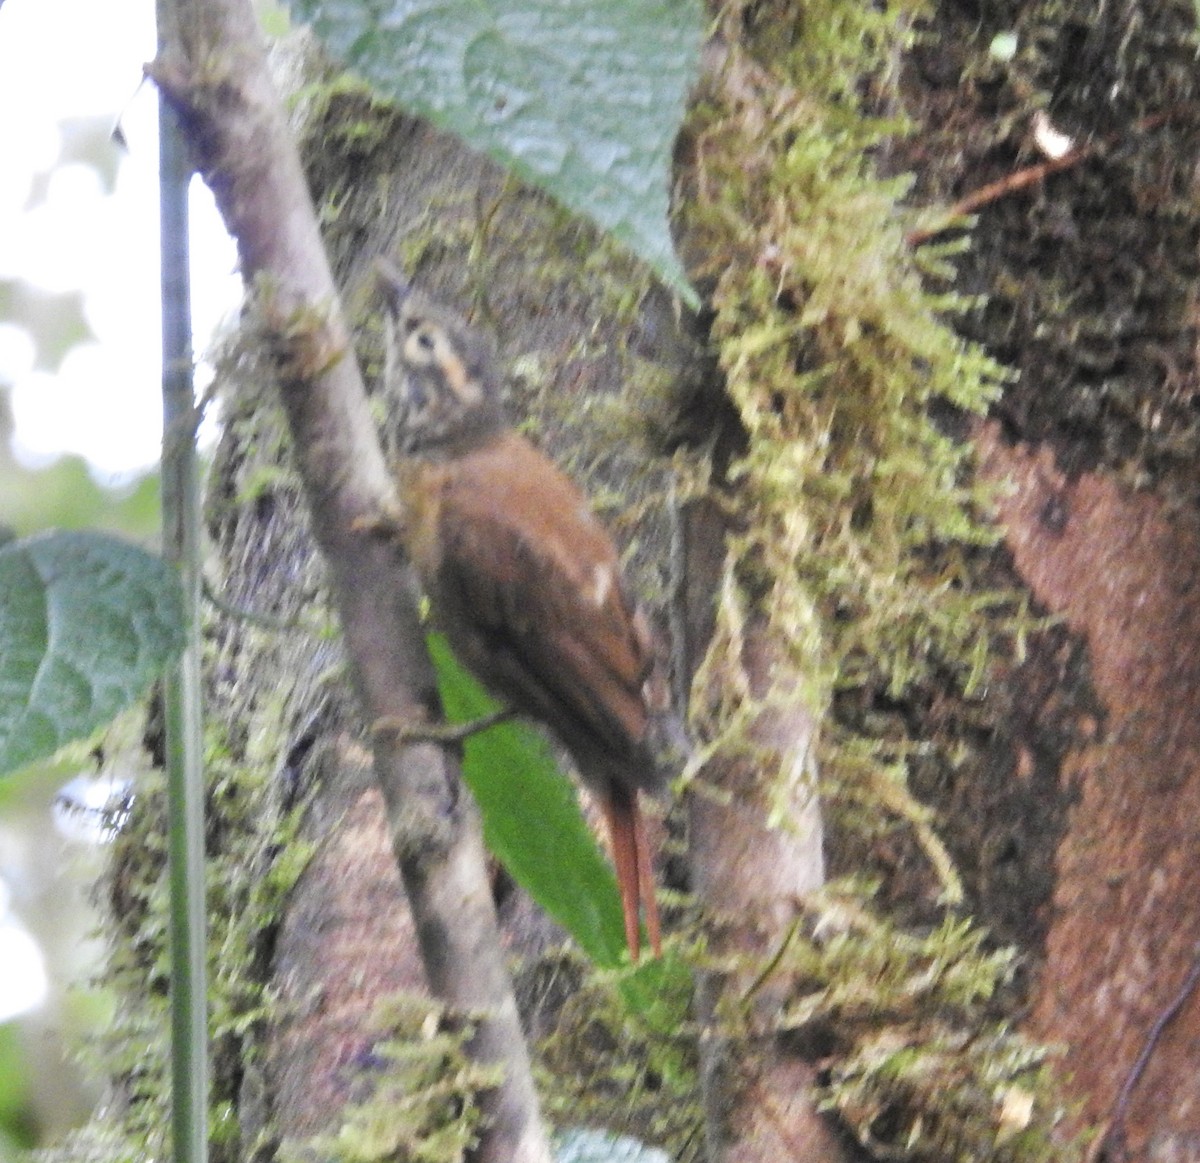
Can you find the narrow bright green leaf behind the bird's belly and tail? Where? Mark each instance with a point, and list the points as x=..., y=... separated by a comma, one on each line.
x=532, y=820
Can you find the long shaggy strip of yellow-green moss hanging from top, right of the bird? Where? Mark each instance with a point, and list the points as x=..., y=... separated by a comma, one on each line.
x=857, y=506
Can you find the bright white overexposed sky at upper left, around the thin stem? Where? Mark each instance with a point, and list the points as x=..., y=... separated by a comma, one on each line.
x=80, y=59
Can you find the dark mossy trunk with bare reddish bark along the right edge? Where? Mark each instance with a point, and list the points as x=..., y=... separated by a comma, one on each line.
x=1085, y=800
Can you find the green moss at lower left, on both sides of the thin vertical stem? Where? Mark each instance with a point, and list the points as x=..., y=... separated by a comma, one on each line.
x=250, y=872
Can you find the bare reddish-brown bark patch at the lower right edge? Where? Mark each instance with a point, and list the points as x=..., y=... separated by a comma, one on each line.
x=1121, y=571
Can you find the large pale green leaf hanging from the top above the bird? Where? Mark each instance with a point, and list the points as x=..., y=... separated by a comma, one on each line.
x=581, y=98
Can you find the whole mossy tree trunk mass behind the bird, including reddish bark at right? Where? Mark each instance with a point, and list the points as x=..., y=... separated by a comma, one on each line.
x=830, y=578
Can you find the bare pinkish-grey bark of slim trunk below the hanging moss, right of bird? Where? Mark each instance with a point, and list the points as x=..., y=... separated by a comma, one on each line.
x=758, y=1090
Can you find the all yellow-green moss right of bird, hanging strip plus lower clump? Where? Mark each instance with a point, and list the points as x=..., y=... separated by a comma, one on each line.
x=862, y=533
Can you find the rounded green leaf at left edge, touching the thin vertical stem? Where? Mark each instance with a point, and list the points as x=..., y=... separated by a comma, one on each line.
x=87, y=622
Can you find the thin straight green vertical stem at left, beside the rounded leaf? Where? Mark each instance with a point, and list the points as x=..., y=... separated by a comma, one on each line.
x=182, y=544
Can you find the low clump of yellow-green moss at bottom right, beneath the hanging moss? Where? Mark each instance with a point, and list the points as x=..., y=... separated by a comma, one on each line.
x=922, y=1066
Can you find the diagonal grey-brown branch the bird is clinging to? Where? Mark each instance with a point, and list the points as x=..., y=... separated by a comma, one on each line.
x=215, y=75
